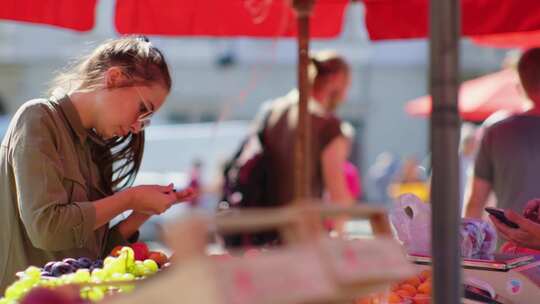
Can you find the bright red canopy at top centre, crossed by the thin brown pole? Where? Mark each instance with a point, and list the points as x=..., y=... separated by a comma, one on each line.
x=254, y=18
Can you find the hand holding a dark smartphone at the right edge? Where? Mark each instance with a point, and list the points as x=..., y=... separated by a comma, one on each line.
x=528, y=232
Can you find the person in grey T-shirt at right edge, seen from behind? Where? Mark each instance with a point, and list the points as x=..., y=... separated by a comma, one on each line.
x=507, y=162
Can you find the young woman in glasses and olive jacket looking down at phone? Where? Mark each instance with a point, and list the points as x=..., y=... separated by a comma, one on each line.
x=66, y=162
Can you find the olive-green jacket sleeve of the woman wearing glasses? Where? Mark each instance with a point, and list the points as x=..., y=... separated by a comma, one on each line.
x=52, y=222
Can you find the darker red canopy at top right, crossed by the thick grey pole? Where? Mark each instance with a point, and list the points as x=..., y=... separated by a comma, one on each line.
x=399, y=19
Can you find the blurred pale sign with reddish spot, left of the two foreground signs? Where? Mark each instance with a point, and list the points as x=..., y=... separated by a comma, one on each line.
x=293, y=275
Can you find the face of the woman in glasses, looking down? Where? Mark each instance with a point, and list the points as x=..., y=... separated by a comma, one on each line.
x=128, y=108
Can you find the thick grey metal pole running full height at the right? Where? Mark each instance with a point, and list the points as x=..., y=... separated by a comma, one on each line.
x=445, y=123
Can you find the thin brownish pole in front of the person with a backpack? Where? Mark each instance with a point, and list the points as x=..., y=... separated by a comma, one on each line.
x=302, y=153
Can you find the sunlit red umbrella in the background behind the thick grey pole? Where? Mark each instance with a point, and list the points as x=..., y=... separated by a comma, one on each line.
x=480, y=97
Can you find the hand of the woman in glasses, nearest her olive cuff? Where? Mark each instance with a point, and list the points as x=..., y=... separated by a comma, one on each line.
x=151, y=199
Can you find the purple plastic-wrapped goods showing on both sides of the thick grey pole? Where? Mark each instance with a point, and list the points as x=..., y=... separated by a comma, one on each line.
x=411, y=219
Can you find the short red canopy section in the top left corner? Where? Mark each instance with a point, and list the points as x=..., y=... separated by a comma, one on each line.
x=77, y=15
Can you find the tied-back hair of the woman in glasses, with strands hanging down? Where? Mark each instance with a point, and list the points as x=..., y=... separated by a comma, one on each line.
x=118, y=159
